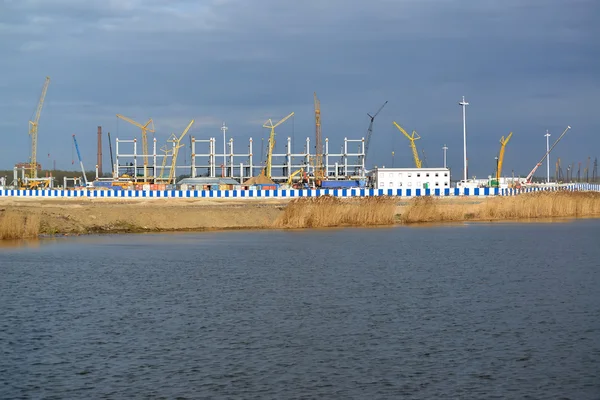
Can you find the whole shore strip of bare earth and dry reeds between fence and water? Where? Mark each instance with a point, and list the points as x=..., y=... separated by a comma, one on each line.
x=28, y=218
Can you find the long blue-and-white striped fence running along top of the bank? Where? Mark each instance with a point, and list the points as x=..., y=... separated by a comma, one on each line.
x=284, y=193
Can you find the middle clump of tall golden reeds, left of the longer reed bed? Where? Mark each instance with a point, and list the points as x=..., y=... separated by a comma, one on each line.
x=327, y=211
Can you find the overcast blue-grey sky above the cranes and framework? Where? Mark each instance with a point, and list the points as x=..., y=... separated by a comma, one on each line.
x=524, y=66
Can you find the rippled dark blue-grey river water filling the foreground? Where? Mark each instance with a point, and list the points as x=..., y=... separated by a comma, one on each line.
x=458, y=311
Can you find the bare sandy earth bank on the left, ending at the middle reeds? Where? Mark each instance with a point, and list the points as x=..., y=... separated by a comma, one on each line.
x=66, y=216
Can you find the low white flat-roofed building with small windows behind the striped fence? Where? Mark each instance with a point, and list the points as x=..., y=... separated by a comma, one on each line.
x=410, y=178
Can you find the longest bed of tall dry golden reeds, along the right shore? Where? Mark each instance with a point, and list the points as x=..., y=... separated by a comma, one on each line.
x=526, y=206
